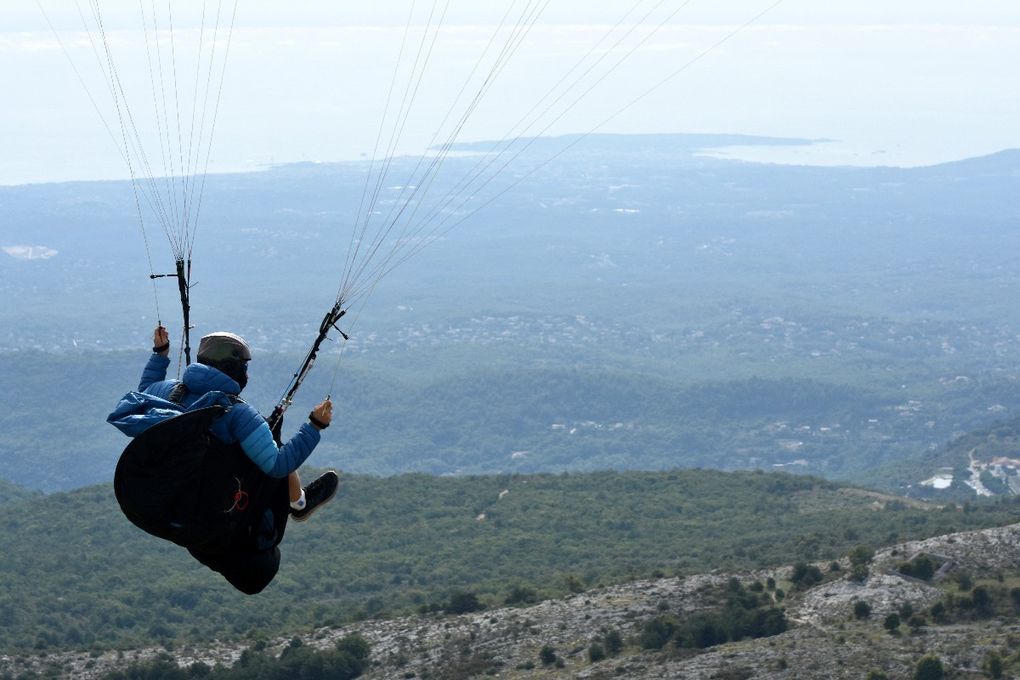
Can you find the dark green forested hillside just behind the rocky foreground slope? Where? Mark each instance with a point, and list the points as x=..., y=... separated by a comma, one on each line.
x=78, y=576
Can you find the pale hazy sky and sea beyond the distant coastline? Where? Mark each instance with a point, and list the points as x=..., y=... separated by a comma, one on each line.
x=884, y=83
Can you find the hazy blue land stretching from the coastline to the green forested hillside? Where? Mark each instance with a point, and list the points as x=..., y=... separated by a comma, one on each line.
x=632, y=304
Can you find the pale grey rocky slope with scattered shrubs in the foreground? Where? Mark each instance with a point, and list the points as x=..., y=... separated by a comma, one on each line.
x=825, y=639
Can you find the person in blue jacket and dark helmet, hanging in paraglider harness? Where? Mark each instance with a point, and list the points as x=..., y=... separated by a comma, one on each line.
x=250, y=562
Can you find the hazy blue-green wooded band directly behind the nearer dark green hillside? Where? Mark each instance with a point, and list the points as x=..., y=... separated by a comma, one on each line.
x=448, y=415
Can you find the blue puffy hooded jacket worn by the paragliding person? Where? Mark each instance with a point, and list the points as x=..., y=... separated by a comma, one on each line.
x=209, y=387
